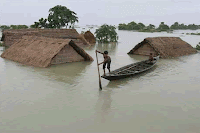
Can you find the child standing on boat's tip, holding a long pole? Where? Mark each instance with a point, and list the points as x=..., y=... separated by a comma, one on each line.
x=107, y=60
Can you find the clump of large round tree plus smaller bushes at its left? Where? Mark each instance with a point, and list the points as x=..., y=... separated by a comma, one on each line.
x=59, y=16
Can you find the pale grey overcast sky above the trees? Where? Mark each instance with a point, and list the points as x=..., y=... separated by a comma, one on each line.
x=104, y=11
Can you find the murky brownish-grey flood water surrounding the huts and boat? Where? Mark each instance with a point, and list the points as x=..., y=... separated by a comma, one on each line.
x=66, y=98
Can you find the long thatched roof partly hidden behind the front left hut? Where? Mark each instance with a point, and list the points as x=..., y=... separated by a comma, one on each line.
x=11, y=36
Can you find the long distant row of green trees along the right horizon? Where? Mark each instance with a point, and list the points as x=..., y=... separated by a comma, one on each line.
x=162, y=27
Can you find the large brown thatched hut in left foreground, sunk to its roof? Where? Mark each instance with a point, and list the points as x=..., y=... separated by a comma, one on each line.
x=43, y=51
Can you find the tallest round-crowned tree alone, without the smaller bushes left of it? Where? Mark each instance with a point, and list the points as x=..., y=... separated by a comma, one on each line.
x=61, y=16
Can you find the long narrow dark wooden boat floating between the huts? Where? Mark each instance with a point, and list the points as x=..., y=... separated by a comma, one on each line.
x=131, y=69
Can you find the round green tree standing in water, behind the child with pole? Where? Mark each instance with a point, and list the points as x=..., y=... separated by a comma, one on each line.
x=106, y=33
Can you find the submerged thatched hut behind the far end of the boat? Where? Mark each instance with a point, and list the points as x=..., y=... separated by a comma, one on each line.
x=165, y=46
